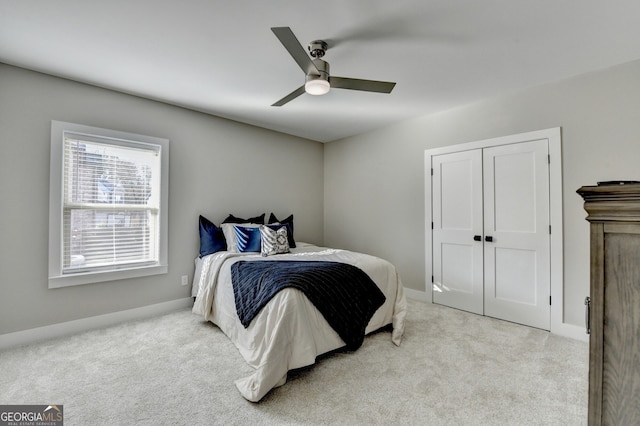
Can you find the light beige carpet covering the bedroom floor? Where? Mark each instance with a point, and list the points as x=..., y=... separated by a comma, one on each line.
x=453, y=368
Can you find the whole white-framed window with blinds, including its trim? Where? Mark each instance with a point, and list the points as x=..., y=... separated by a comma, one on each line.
x=107, y=206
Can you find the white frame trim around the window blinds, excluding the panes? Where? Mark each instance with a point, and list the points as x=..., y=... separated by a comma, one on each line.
x=56, y=203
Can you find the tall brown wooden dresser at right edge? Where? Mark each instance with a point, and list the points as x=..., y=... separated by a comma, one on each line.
x=614, y=314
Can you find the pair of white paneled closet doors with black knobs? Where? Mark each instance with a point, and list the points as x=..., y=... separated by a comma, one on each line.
x=491, y=243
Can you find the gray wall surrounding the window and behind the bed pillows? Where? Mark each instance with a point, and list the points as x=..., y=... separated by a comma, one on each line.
x=216, y=167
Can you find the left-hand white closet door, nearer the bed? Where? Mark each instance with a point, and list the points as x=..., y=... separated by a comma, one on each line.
x=457, y=230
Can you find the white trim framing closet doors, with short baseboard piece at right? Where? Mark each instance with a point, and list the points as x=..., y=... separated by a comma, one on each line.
x=553, y=135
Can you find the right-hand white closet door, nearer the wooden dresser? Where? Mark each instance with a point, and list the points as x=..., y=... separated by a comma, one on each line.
x=517, y=270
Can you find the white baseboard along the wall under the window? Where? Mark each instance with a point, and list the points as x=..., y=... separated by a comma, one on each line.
x=77, y=326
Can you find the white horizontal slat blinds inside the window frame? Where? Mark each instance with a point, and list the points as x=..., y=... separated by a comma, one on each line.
x=111, y=204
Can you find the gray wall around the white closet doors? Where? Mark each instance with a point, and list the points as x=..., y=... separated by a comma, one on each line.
x=374, y=183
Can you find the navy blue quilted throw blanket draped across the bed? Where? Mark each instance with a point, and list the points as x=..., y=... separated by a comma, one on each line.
x=344, y=294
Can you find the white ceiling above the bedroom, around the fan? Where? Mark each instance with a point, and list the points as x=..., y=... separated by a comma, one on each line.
x=220, y=56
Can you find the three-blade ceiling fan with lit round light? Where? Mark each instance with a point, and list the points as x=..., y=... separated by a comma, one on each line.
x=318, y=81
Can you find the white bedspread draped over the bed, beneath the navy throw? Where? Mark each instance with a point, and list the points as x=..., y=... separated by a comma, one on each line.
x=289, y=332
